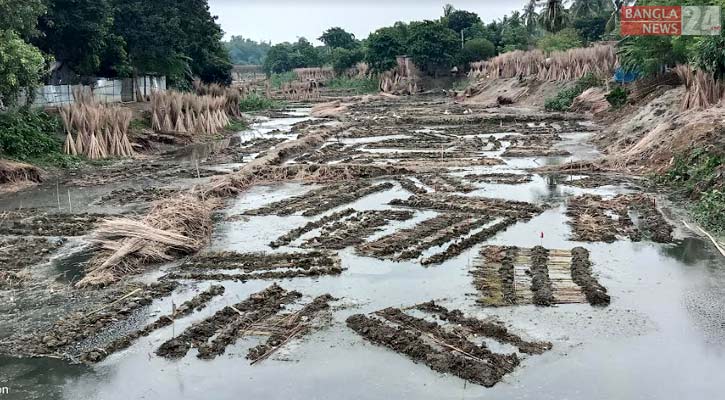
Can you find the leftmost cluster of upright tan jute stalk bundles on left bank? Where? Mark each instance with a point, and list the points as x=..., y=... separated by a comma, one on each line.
x=100, y=131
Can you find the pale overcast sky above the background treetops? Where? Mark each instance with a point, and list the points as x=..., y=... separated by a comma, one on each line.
x=286, y=20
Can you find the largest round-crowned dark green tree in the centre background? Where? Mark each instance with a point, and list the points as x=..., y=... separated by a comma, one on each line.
x=432, y=46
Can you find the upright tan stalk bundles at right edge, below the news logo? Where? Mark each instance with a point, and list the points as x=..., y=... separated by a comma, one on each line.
x=702, y=89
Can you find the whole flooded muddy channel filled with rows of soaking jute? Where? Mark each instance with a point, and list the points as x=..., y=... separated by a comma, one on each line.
x=433, y=261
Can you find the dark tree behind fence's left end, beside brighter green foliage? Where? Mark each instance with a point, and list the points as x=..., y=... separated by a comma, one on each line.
x=75, y=32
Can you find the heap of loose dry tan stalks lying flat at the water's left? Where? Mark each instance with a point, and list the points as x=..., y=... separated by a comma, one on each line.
x=176, y=226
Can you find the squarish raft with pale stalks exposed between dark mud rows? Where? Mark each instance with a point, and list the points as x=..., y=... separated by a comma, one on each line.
x=509, y=275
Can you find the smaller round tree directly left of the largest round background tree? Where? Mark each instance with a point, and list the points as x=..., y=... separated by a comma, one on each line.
x=384, y=45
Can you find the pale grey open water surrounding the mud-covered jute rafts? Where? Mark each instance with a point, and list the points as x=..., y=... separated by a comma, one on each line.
x=663, y=337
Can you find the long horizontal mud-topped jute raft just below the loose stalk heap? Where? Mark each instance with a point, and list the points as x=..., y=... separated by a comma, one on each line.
x=232, y=266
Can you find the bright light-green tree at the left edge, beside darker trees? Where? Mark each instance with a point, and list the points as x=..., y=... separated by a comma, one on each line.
x=21, y=67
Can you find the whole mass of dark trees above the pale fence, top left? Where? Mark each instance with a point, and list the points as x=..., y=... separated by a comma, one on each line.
x=112, y=38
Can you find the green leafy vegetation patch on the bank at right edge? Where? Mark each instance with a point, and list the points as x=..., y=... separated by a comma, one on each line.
x=699, y=178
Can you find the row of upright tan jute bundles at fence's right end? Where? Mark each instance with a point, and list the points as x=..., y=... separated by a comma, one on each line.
x=184, y=113
